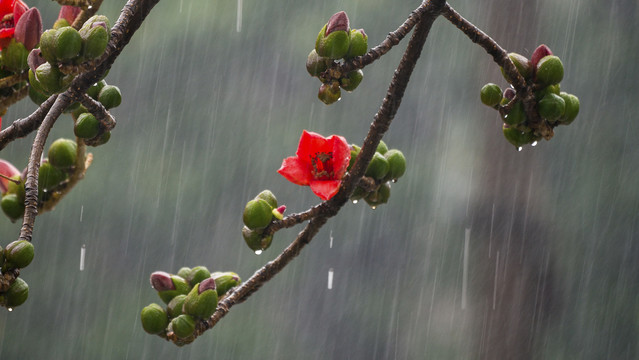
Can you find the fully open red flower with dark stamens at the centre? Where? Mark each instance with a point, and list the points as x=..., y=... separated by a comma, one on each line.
x=320, y=163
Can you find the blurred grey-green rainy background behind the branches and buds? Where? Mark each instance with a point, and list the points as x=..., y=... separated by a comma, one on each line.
x=482, y=252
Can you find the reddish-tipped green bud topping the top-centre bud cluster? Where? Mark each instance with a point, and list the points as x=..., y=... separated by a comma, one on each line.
x=333, y=41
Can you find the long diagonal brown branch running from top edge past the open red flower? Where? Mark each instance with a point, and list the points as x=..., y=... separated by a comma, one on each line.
x=424, y=18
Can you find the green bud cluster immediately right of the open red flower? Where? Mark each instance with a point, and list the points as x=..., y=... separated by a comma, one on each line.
x=385, y=167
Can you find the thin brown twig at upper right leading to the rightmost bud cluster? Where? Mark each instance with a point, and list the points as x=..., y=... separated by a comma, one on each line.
x=500, y=56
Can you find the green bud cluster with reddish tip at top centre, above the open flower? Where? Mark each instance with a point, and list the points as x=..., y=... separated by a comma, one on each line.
x=335, y=42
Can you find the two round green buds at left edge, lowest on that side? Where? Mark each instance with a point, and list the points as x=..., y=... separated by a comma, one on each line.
x=16, y=255
